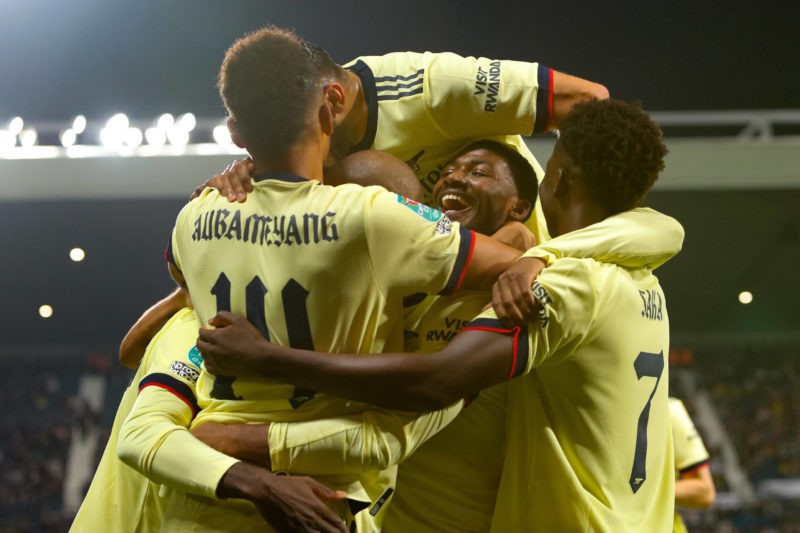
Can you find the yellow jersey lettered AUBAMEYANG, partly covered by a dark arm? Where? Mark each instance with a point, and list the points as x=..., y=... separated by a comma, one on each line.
x=312, y=266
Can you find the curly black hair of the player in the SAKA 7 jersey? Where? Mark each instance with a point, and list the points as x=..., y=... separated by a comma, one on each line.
x=620, y=150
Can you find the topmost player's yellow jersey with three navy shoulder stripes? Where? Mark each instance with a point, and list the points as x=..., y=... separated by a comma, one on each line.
x=426, y=107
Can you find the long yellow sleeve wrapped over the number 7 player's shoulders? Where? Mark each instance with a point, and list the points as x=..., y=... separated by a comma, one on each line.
x=637, y=238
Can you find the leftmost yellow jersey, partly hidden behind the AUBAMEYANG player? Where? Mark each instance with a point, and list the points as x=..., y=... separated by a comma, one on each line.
x=121, y=499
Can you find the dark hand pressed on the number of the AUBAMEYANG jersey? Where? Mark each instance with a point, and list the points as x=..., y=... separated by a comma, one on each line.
x=233, y=346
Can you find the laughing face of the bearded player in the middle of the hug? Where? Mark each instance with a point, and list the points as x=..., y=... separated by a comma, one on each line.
x=476, y=190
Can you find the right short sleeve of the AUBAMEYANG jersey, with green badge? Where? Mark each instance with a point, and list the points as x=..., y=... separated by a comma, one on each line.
x=414, y=248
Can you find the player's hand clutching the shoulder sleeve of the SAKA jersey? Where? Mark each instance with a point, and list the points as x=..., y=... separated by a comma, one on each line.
x=512, y=298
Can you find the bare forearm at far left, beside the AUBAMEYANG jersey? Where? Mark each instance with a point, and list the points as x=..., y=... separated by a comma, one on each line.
x=133, y=345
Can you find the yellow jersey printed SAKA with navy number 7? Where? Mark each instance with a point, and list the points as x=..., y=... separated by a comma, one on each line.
x=588, y=441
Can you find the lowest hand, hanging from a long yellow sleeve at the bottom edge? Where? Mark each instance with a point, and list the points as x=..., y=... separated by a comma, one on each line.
x=287, y=503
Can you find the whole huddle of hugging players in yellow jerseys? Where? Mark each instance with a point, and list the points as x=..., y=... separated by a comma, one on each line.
x=392, y=318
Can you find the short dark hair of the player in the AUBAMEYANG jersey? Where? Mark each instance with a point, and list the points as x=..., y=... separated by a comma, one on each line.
x=268, y=81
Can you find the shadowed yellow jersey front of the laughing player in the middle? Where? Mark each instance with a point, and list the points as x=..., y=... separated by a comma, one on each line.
x=450, y=483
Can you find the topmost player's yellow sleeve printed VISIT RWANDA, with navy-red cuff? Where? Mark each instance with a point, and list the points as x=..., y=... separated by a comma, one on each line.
x=480, y=97
